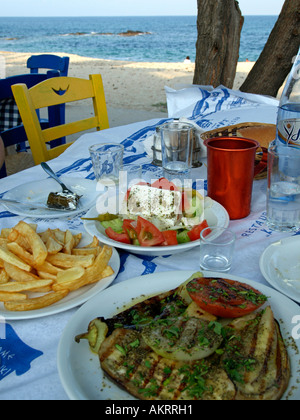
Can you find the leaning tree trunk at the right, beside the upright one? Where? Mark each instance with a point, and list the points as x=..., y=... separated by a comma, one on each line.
x=275, y=61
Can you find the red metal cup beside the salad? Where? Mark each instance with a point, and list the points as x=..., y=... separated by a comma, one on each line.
x=230, y=173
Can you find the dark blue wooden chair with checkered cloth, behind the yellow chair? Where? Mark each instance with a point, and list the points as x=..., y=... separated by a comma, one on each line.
x=12, y=132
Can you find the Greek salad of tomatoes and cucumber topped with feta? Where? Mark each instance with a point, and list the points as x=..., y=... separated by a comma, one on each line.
x=159, y=214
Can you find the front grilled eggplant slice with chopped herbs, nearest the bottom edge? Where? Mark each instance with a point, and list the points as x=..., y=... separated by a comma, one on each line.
x=127, y=359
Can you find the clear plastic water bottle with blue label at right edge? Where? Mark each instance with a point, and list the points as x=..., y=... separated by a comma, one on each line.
x=288, y=119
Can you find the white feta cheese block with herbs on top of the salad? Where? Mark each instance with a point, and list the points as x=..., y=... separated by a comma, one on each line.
x=161, y=207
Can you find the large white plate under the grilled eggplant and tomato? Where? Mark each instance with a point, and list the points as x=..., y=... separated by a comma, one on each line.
x=79, y=369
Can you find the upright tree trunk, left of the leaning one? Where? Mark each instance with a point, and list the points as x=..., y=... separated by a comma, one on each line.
x=219, y=26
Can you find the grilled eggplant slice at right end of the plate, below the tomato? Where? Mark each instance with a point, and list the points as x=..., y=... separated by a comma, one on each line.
x=257, y=360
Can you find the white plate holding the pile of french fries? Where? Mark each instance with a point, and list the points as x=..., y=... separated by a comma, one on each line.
x=73, y=299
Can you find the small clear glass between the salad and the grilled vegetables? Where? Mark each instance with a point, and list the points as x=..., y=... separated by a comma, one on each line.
x=216, y=249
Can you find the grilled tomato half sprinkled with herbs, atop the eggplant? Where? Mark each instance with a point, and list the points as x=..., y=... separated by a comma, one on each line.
x=225, y=298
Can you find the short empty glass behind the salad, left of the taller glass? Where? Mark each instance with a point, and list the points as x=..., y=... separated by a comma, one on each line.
x=107, y=160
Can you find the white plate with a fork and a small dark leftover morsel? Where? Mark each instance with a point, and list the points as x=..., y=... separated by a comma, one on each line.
x=38, y=191
